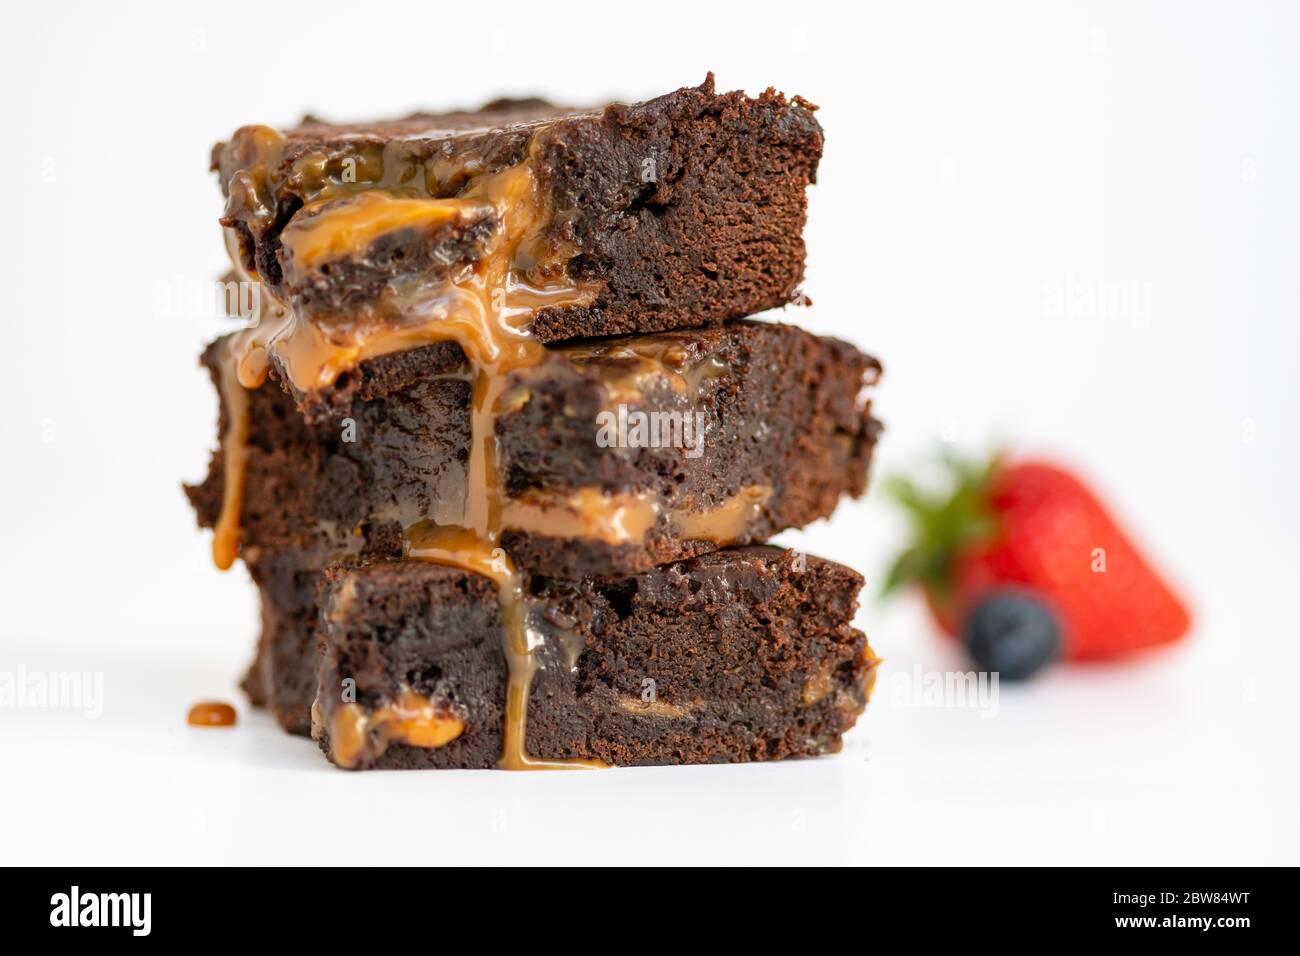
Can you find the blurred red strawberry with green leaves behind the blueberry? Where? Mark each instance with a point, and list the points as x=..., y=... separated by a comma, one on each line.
x=1035, y=527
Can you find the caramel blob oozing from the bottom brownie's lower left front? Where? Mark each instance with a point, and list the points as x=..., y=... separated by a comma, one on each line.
x=410, y=719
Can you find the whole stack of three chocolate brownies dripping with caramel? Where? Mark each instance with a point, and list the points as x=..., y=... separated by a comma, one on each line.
x=500, y=447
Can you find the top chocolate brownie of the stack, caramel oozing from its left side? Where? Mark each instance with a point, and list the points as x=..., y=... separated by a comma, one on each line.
x=683, y=211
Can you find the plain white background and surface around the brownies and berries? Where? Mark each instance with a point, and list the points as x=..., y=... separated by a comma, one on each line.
x=978, y=163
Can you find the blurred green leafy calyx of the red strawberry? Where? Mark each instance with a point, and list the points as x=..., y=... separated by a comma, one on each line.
x=946, y=522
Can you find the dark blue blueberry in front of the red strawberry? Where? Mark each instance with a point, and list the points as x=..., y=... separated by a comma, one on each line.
x=1013, y=634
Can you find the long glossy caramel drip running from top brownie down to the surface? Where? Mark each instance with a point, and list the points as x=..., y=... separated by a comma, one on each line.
x=487, y=309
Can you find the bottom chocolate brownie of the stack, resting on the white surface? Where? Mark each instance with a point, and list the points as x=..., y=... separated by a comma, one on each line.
x=747, y=654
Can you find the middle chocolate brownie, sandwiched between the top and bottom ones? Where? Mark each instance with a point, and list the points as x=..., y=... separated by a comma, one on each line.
x=613, y=456
